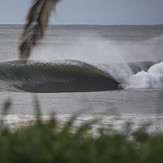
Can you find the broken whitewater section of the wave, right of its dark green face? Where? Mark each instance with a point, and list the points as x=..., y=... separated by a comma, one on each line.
x=143, y=75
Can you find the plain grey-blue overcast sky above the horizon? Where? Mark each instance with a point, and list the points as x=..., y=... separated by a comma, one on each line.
x=100, y=12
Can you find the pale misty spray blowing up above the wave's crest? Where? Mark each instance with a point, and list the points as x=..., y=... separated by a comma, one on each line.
x=97, y=49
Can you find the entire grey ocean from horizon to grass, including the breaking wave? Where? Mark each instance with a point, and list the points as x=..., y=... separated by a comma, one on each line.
x=114, y=73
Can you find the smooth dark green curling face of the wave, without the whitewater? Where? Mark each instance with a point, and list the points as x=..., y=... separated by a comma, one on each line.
x=59, y=76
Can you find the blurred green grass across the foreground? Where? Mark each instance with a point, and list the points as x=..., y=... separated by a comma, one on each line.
x=50, y=142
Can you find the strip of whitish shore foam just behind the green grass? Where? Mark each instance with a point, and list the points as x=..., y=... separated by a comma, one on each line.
x=16, y=121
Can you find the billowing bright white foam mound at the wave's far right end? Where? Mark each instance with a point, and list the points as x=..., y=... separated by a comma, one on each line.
x=152, y=79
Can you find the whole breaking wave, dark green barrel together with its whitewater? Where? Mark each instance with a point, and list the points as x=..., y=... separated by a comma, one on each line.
x=77, y=76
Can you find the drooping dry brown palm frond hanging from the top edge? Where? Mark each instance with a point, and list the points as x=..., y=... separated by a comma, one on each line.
x=34, y=29
